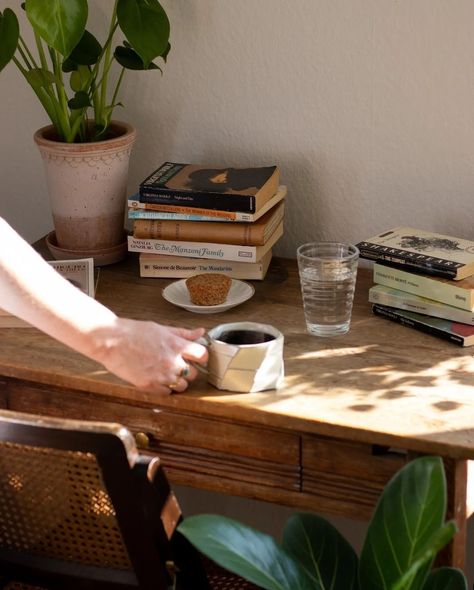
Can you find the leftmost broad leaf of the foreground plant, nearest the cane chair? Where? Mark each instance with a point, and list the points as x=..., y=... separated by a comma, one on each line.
x=246, y=552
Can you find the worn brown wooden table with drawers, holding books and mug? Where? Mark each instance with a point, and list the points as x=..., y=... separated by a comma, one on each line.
x=352, y=411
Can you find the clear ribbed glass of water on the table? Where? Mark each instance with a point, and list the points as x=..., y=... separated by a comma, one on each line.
x=328, y=272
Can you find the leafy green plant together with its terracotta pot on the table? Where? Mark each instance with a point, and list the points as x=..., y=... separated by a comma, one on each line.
x=77, y=79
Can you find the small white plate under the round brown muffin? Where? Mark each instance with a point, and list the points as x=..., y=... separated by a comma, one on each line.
x=177, y=293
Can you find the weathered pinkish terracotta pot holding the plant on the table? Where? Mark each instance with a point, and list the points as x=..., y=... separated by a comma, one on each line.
x=87, y=185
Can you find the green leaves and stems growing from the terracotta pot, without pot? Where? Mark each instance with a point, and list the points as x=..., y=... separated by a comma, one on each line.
x=70, y=71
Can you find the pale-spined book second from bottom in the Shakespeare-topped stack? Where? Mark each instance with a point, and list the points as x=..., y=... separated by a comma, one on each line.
x=390, y=297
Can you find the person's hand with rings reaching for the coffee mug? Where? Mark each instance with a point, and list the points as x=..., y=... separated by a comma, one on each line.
x=151, y=356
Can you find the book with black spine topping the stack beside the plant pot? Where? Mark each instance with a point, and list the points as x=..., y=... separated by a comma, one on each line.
x=227, y=189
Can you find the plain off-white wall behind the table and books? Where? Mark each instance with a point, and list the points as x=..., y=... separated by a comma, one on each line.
x=367, y=106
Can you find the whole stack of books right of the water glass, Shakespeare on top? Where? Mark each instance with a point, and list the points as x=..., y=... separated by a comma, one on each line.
x=423, y=280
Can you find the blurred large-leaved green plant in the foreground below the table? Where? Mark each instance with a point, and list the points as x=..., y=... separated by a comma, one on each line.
x=405, y=533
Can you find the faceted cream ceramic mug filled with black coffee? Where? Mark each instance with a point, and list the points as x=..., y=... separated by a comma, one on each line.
x=244, y=356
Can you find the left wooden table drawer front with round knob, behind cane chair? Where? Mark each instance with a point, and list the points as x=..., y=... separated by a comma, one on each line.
x=189, y=445
